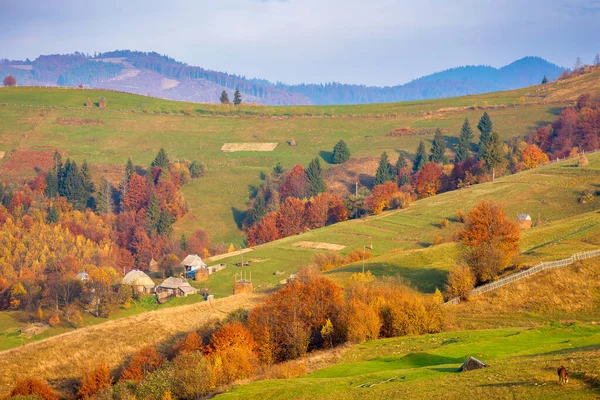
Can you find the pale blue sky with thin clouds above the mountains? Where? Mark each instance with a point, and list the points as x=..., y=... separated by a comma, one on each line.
x=372, y=42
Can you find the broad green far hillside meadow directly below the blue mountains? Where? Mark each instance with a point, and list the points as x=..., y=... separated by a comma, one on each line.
x=137, y=126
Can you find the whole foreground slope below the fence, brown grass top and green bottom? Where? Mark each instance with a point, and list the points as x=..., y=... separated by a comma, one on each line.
x=523, y=349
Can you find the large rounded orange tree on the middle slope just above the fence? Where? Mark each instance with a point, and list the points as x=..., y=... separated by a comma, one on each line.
x=490, y=240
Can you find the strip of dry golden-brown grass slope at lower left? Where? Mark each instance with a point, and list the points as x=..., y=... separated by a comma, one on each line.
x=70, y=355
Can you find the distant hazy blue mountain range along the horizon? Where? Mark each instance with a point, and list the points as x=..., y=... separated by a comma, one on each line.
x=156, y=75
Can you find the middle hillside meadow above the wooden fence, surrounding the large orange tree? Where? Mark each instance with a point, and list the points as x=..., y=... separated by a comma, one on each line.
x=402, y=240
